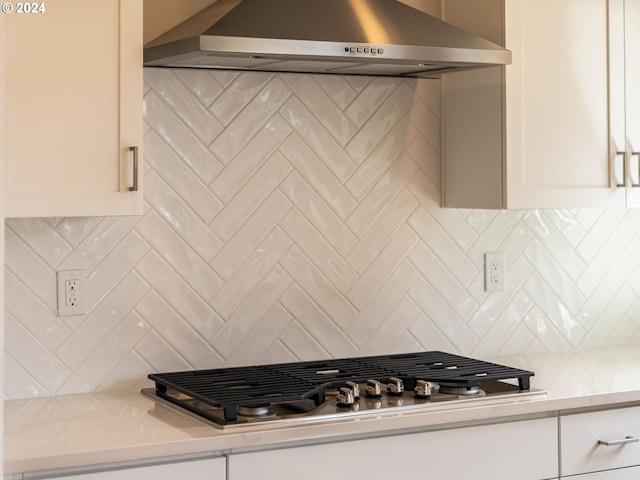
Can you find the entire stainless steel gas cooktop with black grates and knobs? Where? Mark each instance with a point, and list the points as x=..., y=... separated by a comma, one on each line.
x=344, y=388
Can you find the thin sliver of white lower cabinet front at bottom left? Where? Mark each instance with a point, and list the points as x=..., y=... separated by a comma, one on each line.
x=205, y=469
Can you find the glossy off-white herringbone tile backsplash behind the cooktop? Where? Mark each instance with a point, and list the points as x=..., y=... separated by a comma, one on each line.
x=296, y=217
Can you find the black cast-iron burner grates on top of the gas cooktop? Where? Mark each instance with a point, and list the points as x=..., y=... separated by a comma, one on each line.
x=260, y=386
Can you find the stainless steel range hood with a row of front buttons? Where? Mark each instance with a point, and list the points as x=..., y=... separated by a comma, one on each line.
x=366, y=37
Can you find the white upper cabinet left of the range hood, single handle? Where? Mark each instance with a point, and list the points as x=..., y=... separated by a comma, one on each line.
x=74, y=108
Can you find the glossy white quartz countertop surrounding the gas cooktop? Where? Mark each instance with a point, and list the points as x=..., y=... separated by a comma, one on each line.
x=49, y=433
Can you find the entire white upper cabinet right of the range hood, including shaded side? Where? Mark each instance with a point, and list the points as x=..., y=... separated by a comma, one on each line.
x=555, y=128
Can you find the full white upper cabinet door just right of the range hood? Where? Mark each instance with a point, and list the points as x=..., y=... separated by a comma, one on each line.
x=559, y=150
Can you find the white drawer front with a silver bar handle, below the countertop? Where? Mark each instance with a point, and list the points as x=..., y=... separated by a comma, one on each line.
x=580, y=451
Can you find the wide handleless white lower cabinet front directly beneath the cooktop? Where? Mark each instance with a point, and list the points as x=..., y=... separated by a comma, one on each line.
x=523, y=450
